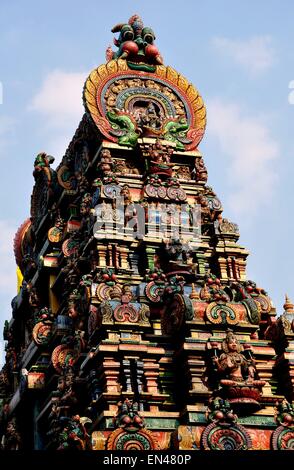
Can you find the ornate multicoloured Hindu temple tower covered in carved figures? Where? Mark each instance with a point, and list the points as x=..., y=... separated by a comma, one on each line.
x=135, y=327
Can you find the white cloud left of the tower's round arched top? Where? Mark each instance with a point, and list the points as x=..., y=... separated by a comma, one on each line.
x=59, y=101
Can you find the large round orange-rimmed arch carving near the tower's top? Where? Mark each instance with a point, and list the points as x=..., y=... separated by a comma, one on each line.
x=125, y=104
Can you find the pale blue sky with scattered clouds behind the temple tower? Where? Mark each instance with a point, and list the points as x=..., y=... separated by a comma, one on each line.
x=238, y=54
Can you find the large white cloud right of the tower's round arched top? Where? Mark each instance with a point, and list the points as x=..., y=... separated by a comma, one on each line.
x=247, y=143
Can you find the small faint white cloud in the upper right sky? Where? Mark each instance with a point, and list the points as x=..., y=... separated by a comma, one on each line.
x=255, y=54
